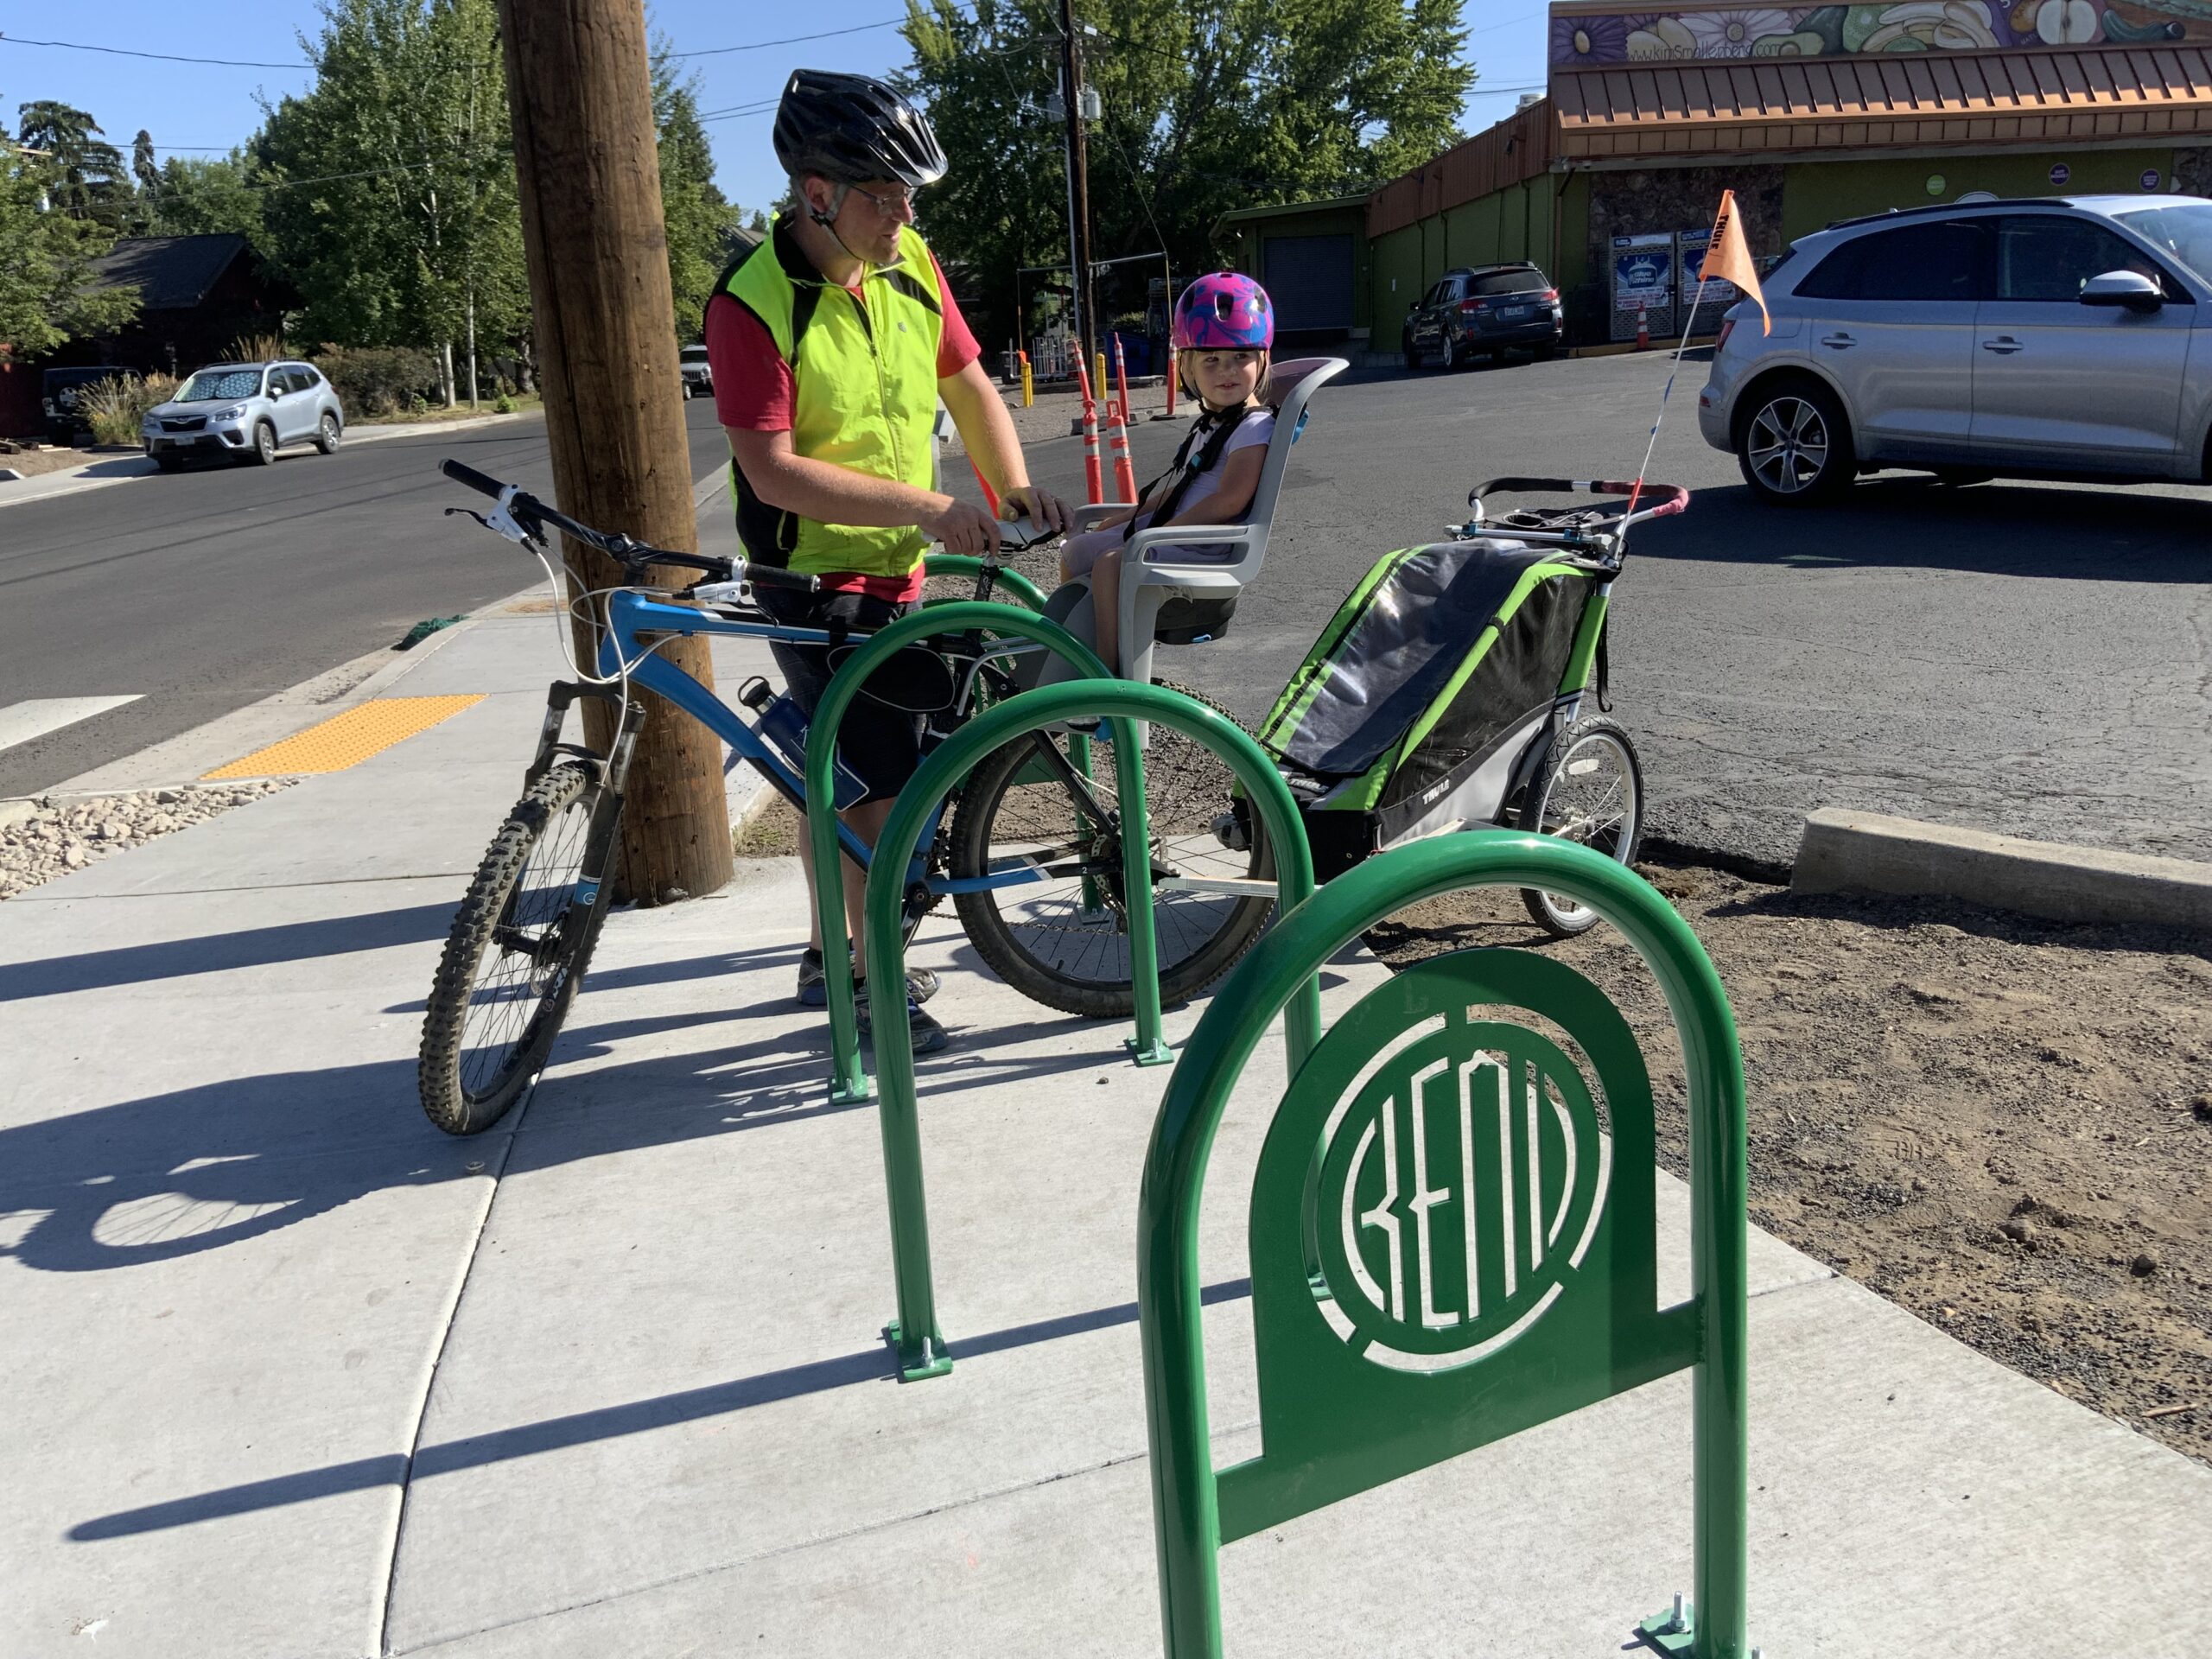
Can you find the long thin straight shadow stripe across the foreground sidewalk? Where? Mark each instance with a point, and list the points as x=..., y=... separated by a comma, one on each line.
x=587, y=1428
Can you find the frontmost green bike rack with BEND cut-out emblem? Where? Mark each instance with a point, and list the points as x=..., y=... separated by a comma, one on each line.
x=1488, y=1253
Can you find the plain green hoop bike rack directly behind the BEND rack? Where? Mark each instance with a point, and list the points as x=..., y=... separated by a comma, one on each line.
x=915, y=1335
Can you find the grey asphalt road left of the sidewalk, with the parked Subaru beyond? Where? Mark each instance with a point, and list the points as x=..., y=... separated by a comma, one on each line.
x=205, y=592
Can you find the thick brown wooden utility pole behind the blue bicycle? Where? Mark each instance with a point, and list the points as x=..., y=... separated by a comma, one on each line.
x=581, y=92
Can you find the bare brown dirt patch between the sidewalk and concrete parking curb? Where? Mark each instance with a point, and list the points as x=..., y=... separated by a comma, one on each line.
x=2001, y=1125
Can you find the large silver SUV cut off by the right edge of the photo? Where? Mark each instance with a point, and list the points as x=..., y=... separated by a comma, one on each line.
x=2054, y=337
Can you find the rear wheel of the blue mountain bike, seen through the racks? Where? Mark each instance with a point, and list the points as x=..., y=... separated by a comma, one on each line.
x=1065, y=941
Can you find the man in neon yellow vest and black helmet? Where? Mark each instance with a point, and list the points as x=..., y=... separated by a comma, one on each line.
x=831, y=348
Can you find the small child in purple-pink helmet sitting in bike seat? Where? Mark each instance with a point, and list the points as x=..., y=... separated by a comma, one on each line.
x=1224, y=328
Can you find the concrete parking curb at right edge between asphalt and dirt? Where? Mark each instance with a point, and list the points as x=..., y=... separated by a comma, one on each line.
x=1872, y=853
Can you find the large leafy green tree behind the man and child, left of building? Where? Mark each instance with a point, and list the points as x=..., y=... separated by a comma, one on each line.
x=1209, y=105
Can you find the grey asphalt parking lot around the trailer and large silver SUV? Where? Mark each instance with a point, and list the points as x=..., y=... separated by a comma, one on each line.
x=2021, y=658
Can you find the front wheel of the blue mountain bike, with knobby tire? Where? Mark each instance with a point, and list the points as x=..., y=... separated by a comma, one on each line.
x=517, y=952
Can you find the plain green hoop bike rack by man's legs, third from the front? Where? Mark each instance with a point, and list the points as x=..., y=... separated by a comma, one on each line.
x=848, y=1081
